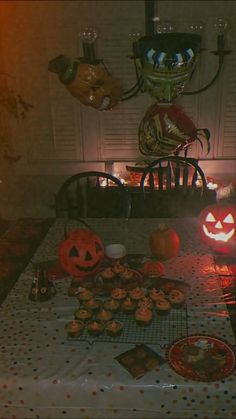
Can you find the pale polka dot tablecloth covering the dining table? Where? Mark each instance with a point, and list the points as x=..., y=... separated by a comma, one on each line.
x=45, y=375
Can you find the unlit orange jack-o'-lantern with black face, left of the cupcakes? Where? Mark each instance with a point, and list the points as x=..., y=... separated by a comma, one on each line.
x=81, y=252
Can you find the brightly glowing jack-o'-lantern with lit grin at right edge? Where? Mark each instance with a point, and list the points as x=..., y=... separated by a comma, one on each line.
x=217, y=227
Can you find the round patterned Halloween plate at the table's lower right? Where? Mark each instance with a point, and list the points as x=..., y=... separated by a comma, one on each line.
x=201, y=358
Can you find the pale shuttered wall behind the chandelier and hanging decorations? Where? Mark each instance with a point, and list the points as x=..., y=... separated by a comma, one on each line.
x=60, y=136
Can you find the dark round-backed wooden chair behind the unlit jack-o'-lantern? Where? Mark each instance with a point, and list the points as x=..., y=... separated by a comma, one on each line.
x=93, y=194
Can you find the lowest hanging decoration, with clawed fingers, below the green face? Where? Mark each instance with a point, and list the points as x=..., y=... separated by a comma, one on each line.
x=166, y=129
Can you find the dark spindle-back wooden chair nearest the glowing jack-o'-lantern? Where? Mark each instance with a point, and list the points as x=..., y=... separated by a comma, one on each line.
x=177, y=188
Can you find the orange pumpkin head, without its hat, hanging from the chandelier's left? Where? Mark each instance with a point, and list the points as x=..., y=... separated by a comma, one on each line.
x=95, y=87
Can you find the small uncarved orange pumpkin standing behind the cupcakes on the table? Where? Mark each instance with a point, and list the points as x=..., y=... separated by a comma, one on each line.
x=164, y=242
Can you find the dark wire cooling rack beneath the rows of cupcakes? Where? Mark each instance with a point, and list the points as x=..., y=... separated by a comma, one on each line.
x=163, y=330
